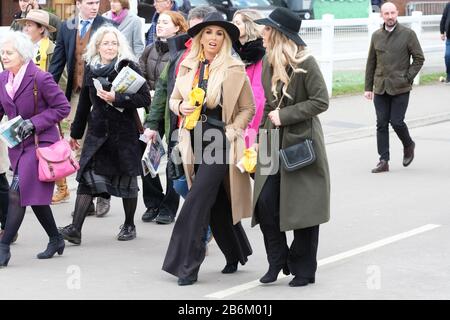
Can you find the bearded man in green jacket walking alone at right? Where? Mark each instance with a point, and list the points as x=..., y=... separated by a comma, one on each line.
x=389, y=77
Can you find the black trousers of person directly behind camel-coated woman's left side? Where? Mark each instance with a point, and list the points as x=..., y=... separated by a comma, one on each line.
x=153, y=195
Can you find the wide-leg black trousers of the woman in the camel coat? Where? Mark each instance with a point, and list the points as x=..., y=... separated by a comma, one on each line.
x=207, y=203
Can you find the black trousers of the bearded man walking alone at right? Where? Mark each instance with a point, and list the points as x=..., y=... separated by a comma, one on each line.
x=391, y=109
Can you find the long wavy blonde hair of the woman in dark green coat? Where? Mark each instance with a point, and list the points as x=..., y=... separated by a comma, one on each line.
x=282, y=52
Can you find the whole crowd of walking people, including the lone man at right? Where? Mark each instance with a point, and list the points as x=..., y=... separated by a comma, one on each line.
x=262, y=91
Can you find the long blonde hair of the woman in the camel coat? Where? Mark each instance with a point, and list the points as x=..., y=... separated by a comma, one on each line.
x=217, y=69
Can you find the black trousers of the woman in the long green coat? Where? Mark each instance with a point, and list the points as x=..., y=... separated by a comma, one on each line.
x=301, y=257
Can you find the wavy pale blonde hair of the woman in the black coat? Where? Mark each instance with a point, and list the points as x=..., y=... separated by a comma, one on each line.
x=92, y=56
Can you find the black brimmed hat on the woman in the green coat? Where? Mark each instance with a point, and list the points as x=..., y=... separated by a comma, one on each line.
x=285, y=21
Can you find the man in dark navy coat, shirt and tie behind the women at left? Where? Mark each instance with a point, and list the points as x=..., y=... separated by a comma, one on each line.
x=71, y=43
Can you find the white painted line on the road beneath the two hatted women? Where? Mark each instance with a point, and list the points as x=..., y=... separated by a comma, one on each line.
x=344, y=255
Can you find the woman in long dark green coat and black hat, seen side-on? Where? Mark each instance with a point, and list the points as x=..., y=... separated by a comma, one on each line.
x=297, y=200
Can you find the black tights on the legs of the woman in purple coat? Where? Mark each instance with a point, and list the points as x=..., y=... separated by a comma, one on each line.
x=16, y=214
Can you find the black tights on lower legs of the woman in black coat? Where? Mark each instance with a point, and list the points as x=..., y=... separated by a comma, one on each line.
x=83, y=202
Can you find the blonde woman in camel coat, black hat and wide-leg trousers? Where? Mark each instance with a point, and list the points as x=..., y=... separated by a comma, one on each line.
x=219, y=195
